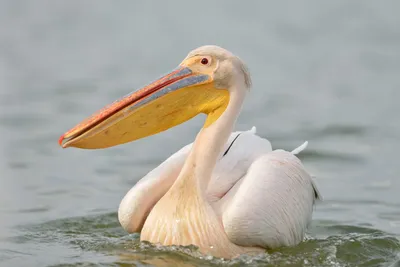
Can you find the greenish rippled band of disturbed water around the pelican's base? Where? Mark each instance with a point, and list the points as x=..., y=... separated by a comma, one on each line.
x=346, y=245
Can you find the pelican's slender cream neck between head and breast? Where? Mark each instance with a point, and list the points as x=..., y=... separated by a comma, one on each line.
x=197, y=170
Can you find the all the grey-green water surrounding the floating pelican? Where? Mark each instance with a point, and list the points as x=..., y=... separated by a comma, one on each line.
x=323, y=72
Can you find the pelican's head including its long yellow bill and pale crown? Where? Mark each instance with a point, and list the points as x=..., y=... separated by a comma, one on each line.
x=202, y=83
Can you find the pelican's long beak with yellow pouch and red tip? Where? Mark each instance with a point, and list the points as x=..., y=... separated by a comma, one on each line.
x=165, y=103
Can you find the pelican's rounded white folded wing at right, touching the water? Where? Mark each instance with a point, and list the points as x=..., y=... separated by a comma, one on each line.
x=271, y=204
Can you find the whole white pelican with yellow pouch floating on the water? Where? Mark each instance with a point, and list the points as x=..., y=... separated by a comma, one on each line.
x=228, y=193
